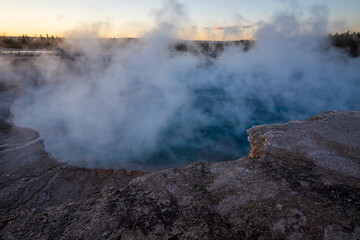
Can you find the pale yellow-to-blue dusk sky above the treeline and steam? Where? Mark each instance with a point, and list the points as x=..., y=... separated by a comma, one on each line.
x=202, y=19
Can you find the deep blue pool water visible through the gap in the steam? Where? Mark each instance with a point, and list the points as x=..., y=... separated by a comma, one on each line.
x=221, y=137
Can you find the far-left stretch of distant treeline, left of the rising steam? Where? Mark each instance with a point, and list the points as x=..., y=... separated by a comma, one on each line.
x=26, y=42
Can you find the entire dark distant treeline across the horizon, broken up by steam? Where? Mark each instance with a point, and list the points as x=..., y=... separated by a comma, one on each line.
x=348, y=41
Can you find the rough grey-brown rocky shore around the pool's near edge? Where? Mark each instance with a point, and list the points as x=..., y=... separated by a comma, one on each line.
x=301, y=180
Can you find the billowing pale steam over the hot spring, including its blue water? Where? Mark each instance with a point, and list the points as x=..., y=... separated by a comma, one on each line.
x=146, y=106
